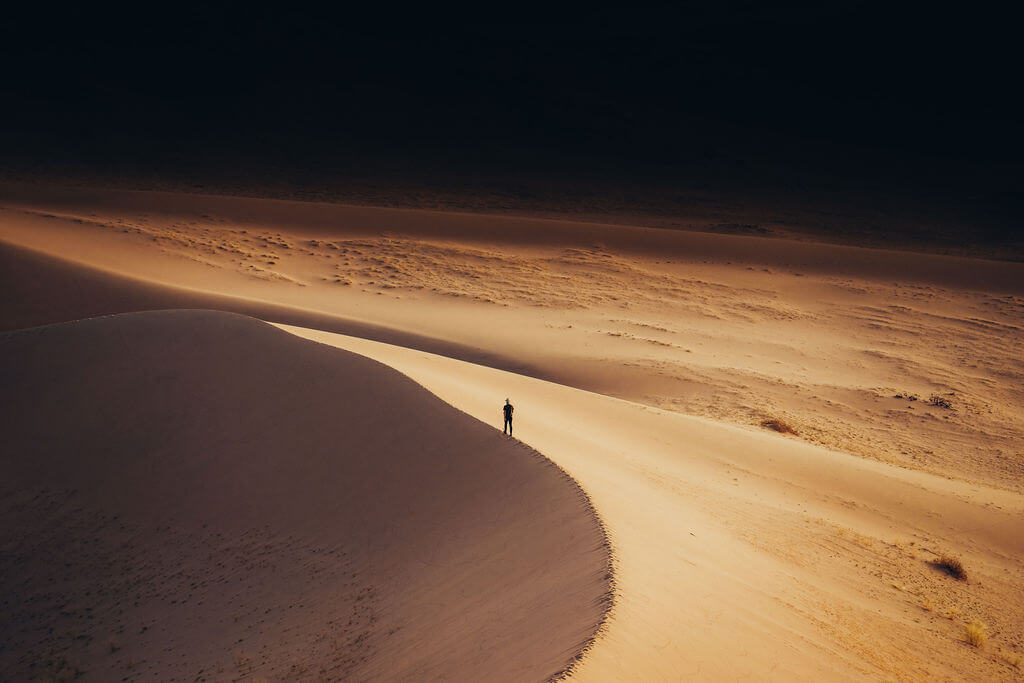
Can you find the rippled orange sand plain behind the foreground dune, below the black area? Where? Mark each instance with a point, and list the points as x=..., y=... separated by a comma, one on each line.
x=738, y=329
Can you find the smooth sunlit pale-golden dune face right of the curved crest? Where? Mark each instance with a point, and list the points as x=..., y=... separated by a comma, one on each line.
x=719, y=534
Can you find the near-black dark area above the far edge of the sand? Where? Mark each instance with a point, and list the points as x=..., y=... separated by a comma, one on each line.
x=899, y=122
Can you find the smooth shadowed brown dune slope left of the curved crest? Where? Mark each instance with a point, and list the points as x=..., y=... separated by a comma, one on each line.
x=199, y=495
